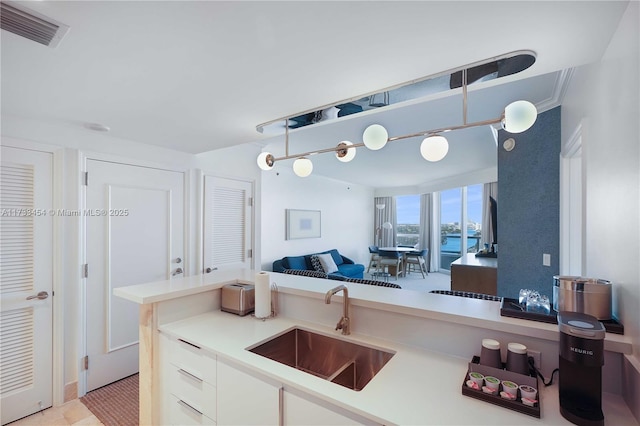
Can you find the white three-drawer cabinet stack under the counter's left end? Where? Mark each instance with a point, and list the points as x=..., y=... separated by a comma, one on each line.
x=188, y=383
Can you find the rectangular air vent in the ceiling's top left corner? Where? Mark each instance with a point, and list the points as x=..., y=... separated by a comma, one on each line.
x=32, y=25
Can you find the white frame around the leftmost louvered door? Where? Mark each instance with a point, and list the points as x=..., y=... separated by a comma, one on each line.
x=58, y=331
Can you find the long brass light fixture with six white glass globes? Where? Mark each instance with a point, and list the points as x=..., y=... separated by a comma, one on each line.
x=517, y=117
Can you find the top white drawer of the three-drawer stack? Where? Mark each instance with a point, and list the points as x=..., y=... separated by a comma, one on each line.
x=192, y=359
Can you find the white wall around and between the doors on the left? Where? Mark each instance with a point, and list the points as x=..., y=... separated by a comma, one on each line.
x=71, y=141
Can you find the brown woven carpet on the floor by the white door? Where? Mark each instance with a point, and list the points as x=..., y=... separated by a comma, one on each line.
x=115, y=404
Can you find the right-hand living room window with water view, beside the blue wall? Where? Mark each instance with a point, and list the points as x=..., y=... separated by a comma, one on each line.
x=460, y=223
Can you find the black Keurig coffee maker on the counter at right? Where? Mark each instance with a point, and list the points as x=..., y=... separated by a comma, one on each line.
x=581, y=361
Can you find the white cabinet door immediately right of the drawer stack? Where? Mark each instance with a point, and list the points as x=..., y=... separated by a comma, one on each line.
x=244, y=399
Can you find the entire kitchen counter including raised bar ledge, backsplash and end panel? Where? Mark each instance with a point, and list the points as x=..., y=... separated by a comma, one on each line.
x=422, y=382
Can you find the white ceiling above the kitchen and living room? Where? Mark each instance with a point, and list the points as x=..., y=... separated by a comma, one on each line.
x=197, y=76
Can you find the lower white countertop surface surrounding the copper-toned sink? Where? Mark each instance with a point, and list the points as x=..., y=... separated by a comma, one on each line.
x=415, y=387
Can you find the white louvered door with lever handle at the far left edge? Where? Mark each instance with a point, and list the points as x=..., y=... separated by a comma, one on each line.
x=26, y=270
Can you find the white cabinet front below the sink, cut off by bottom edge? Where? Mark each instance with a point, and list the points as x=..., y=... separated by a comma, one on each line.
x=299, y=410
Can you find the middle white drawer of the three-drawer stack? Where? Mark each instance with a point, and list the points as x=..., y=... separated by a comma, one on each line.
x=194, y=391
